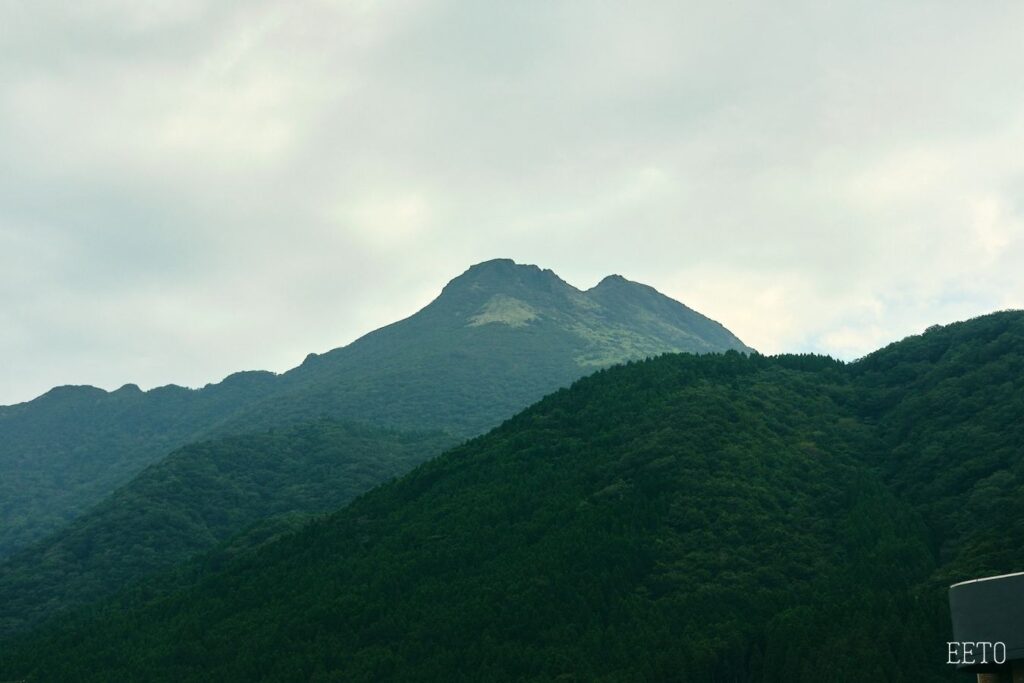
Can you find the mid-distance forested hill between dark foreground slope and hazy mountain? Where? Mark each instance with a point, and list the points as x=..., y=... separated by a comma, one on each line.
x=197, y=498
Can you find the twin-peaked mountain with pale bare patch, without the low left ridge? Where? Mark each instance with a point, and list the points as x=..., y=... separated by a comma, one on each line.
x=498, y=338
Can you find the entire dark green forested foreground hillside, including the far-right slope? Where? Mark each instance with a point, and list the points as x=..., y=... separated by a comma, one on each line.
x=719, y=518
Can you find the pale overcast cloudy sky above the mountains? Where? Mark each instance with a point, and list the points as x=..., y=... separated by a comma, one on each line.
x=193, y=188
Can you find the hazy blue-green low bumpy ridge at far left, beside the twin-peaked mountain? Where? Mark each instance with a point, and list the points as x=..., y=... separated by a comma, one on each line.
x=68, y=450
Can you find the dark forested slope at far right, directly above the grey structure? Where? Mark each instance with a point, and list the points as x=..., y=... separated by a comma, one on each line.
x=950, y=408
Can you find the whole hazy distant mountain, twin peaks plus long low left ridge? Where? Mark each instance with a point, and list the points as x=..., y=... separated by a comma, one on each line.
x=498, y=338
